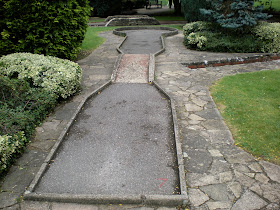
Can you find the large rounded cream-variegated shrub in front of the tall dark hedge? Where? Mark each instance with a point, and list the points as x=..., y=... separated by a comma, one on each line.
x=60, y=77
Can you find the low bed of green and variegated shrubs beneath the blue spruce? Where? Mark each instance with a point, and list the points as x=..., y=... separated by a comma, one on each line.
x=209, y=37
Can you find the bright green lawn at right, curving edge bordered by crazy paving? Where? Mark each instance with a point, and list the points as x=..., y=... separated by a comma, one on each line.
x=250, y=105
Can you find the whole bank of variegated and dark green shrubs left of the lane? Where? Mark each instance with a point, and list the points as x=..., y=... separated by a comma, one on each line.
x=30, y=86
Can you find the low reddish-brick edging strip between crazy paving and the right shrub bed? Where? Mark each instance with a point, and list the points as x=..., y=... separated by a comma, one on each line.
x=233, y=61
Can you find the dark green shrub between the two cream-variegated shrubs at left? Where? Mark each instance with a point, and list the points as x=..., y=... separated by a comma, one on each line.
x=21, y=106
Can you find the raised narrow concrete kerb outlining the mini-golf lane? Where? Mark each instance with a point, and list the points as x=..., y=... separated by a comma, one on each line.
x=166, y=200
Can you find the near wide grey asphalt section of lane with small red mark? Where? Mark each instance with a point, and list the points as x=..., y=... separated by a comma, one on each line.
x=122, y=143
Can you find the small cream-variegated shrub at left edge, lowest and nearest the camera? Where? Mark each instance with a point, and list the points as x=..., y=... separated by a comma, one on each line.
x=9, y=147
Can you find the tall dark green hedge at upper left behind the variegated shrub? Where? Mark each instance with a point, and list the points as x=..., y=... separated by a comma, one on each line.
x=54, y=28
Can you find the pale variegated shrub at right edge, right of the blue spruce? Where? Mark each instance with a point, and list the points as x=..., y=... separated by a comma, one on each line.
x=269, y=36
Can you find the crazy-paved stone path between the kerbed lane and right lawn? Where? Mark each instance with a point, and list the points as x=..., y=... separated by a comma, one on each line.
x=234, y=179
